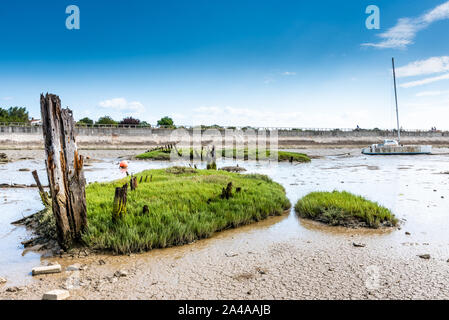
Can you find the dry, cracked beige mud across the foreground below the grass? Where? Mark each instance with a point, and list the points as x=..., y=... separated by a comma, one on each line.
x=242, y=264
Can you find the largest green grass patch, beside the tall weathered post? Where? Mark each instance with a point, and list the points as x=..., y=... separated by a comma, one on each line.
x=184, y=205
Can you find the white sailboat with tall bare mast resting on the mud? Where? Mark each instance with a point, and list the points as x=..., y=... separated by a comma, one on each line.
x=394, y=147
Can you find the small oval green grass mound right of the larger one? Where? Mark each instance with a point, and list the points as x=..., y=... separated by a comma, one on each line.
x=345, y=209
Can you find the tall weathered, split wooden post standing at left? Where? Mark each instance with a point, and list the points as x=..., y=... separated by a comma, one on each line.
x=65, y=171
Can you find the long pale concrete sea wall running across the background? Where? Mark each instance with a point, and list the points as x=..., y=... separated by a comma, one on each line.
x=30, y=137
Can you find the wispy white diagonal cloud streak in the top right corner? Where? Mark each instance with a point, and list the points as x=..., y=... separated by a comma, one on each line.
x=405, y=30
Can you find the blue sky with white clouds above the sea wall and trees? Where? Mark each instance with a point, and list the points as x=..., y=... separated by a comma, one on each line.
x=262, y=63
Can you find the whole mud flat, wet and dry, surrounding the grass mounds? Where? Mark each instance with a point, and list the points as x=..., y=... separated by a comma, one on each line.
x=279, y=258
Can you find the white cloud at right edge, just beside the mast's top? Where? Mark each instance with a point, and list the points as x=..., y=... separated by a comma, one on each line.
x=423, y=67
